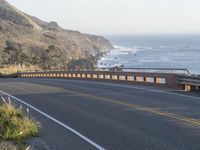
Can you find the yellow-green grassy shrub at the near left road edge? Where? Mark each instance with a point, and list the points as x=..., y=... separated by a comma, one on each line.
x=15, y=124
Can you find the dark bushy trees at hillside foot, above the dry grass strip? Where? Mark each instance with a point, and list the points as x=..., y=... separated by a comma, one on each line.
x=13, y=55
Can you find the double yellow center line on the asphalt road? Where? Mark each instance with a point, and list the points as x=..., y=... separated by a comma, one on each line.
x=138, y=107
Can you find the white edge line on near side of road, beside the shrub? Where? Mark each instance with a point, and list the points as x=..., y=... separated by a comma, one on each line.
x=55, y=120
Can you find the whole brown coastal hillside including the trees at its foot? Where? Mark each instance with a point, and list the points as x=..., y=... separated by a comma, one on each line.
x=42, y=43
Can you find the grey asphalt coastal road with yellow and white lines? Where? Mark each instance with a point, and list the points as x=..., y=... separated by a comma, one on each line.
x=87, y=115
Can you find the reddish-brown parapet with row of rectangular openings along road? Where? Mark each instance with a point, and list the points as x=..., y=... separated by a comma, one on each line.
x=149, y=77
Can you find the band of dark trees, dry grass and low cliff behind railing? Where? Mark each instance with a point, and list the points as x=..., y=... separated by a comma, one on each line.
x=14, y=59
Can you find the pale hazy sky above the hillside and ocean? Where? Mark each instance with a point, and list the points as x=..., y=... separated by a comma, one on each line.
x=118, y=16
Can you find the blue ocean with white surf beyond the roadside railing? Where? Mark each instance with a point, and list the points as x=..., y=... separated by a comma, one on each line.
x=158, y=51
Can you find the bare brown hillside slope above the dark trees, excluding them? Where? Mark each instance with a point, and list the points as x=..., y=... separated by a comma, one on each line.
x=35, y=35
